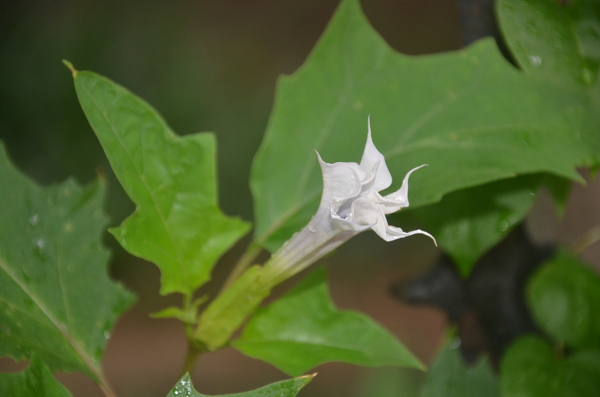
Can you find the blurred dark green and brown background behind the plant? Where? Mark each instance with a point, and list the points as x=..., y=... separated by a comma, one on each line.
x=210, y=66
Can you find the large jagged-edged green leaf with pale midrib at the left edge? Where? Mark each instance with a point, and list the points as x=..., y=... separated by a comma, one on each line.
x=56, y=299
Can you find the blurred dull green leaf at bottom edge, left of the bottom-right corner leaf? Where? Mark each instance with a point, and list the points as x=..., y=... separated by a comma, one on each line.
x=449, y=376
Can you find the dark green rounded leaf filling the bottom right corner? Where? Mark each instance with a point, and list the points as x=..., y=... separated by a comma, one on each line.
x=531, y=368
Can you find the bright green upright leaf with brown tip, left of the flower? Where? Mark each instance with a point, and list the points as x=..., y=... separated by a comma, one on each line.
x=172, y=180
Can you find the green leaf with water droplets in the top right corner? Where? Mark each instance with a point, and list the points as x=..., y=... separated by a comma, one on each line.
x=558, y=42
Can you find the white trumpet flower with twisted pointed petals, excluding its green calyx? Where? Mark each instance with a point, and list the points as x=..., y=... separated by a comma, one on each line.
x=350, y=203
